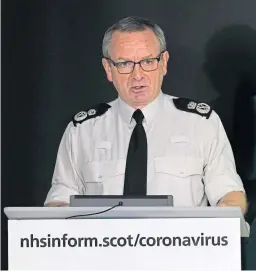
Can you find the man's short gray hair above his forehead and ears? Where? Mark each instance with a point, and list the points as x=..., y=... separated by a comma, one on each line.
x=132, y=24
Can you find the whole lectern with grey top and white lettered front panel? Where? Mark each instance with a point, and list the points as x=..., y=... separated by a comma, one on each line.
x=125, y=238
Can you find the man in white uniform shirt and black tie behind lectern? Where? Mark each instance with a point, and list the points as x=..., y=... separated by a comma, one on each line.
x=145, y=142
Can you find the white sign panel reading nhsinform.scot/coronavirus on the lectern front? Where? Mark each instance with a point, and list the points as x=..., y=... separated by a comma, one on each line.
x=125, y=244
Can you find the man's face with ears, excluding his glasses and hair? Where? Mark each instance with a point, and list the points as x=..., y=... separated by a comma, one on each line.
x=139, y=87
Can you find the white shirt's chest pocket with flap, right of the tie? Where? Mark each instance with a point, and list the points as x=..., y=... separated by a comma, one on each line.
x=180, y=177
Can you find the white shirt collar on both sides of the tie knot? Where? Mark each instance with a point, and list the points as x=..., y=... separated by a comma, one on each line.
x=148, y=111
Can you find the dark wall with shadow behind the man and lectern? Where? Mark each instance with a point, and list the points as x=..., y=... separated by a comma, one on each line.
x=51, y=69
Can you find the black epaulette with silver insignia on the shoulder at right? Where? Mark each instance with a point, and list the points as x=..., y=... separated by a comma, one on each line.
x=188, y=105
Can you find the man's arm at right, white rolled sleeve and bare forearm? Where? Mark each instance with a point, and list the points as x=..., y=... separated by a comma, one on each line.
x=223, y=185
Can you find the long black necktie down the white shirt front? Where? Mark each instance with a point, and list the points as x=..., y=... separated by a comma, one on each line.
x=135, y=183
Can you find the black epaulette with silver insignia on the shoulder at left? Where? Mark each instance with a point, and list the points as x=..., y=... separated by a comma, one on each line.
x=93, y=112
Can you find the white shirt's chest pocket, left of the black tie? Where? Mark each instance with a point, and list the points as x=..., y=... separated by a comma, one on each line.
x=104, y=178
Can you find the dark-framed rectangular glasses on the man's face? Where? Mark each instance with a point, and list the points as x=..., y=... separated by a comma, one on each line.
x=148, y=65
